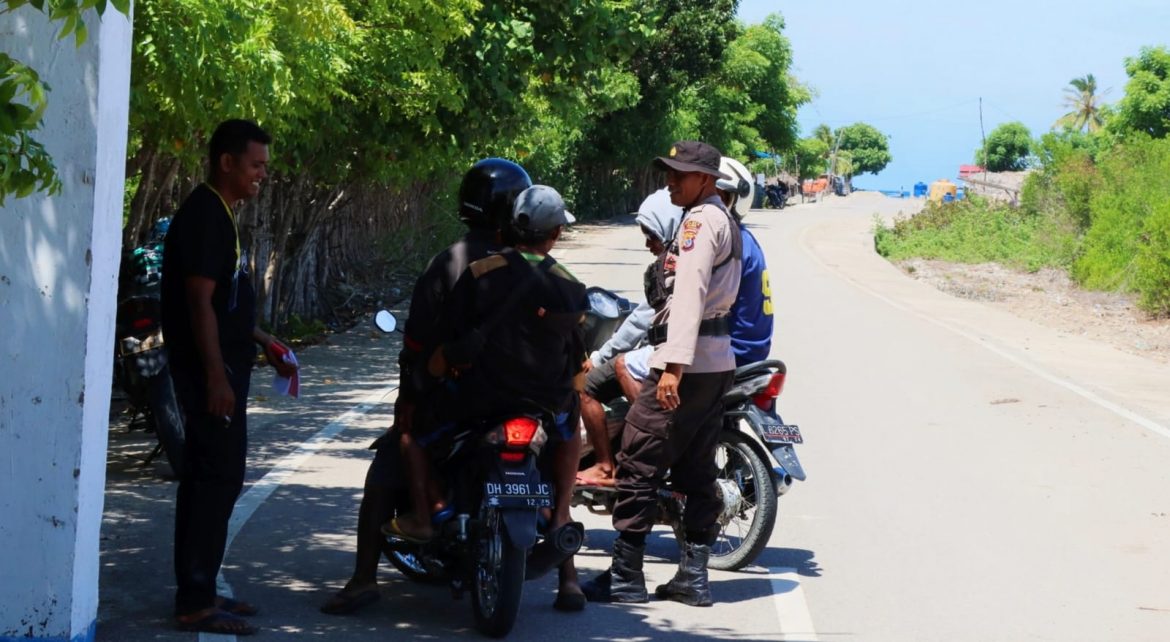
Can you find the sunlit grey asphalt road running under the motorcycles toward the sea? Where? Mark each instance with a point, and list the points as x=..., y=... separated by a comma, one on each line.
x=972, y=477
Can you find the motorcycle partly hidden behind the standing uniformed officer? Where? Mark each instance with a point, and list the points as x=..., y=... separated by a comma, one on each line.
x=756, y=454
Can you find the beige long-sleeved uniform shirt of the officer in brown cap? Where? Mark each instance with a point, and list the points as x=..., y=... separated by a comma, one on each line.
x=700, y=292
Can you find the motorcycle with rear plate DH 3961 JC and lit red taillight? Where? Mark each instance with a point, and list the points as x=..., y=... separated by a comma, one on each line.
x=493, y=542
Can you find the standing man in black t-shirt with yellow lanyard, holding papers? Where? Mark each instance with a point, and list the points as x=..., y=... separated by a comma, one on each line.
x=210, y=323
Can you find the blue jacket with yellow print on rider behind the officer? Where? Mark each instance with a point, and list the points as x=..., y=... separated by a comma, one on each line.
x=752, y=315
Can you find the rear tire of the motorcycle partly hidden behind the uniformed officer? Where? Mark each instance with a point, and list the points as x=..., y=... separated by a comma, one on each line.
x=727, y=555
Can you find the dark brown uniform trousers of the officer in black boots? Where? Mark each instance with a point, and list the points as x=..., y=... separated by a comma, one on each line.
x=683, y=441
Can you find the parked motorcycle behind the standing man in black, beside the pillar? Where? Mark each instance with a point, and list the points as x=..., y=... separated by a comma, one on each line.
x=140, y=357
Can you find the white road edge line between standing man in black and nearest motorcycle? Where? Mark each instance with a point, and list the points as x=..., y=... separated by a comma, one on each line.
x=261, y=491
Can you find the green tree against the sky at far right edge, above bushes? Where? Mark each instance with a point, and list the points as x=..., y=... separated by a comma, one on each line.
x=1146, y=107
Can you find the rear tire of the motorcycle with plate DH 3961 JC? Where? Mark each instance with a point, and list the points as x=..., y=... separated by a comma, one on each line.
x=498, y=577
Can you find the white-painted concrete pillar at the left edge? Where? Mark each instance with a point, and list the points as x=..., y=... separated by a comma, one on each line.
x=59, y=260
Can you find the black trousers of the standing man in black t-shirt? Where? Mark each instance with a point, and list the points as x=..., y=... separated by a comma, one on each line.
x=210, y=484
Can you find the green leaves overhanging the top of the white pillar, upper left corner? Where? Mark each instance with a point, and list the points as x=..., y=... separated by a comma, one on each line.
x=25, y=167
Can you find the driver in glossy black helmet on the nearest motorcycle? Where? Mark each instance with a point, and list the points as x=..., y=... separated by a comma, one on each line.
x=486, y=198
